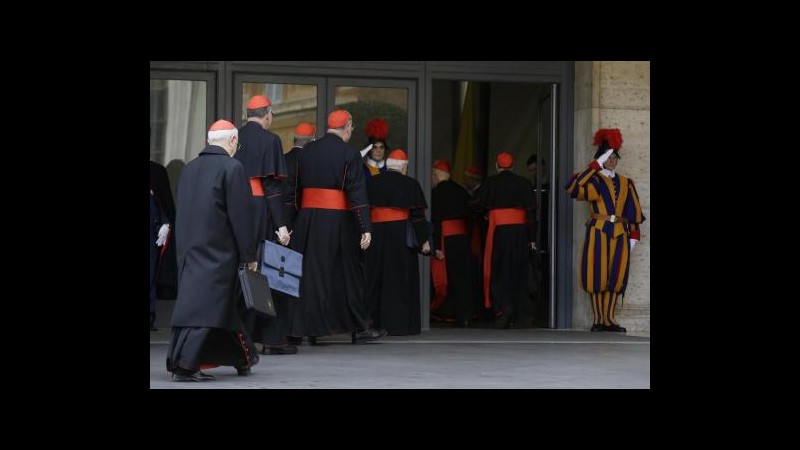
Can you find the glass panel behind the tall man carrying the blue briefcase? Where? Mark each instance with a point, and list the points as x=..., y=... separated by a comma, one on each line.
x=291, y=104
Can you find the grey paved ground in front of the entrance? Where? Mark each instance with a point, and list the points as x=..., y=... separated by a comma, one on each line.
x=441, y=358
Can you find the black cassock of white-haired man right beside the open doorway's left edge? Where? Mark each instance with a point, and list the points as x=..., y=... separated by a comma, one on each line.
x=391, y=268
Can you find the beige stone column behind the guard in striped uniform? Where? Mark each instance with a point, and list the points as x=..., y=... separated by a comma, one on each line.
x=615, y=94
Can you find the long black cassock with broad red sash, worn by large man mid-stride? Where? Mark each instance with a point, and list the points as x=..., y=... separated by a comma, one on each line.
x=332, y=288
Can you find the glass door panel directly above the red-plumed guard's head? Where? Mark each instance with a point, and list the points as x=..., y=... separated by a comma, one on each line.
x=366, y=103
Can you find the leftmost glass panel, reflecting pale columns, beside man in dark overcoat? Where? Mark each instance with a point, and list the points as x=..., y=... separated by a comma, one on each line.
x=177, y=124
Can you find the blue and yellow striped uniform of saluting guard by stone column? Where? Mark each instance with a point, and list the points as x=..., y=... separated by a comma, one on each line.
x=605, y=257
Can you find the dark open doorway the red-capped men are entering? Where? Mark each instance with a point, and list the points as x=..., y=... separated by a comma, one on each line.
x=471, y=122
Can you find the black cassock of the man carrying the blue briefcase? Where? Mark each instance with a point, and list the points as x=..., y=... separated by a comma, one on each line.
x=261, y=154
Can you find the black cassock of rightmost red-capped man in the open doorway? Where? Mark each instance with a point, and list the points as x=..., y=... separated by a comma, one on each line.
x=509, y=258
